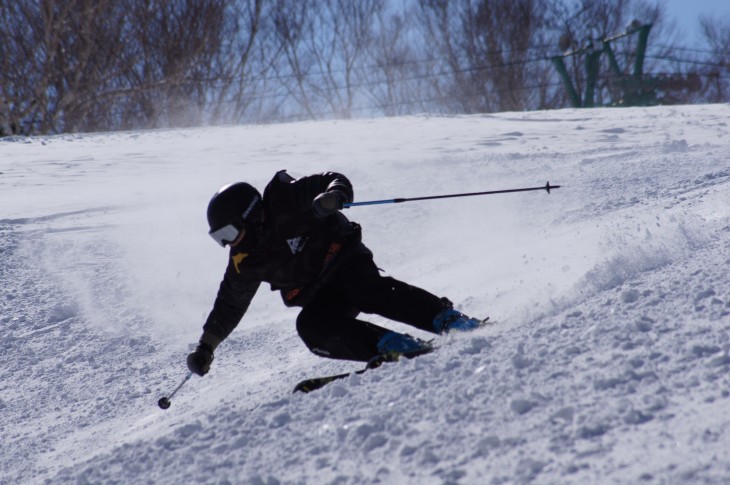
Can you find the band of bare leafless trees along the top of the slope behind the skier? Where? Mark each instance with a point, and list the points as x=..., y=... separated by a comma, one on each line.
x=103, y=65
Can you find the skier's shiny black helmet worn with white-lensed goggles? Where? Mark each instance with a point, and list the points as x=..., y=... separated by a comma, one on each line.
x=233, y=208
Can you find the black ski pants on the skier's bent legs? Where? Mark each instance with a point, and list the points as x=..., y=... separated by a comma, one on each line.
x=329, y=326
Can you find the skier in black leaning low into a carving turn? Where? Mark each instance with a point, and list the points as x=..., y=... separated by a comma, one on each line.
x=296, y=239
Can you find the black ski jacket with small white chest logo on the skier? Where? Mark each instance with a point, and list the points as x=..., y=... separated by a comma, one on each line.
x=294, y=251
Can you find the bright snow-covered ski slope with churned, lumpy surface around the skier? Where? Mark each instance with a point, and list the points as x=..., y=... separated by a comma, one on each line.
x=609, y=362
